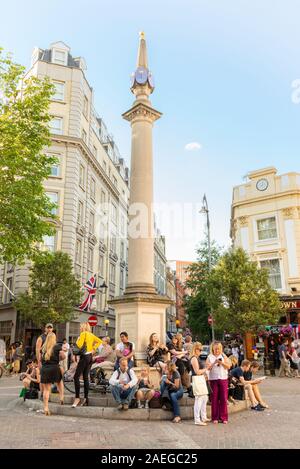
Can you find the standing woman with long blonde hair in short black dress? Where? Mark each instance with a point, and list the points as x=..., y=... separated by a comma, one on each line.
x=51, y=373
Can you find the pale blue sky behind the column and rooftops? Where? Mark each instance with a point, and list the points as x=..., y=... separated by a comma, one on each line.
x=223, y=72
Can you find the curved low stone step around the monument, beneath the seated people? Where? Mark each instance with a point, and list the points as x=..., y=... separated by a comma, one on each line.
x=111, y=413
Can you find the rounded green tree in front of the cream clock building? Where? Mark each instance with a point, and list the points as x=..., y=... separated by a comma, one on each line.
x=240, y=295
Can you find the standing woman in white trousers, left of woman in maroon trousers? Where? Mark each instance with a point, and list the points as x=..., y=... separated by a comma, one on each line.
x=198, y=368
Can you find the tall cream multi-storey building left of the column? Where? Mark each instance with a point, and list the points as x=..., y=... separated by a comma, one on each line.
x=90, y=186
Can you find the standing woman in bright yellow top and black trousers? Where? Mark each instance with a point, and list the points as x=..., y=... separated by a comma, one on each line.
x=89, y=342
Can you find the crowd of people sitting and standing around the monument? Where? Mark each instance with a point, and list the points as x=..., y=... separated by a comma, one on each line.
x=223, y=377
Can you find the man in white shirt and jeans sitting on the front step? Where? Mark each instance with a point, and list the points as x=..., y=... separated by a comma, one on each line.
x=123, y=384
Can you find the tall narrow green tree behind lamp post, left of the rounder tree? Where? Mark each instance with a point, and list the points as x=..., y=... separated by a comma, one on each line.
x=196, y=304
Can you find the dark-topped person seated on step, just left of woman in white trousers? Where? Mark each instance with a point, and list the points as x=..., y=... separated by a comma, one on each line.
x=171, y=384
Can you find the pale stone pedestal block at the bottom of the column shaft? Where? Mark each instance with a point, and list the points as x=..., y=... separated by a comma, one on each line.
x=140, y=315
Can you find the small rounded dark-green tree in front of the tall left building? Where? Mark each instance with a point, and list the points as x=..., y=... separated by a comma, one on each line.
x=53, y=292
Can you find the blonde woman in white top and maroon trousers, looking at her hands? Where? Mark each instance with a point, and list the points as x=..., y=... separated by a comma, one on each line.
x=218, y=365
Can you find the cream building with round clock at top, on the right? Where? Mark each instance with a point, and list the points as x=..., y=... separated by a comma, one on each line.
x=265, y=222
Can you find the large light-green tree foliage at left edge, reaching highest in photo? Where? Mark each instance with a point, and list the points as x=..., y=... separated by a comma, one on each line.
x=25, y=210
